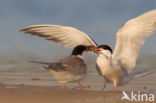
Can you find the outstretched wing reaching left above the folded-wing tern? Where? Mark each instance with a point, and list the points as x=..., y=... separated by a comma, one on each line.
x=67, y=36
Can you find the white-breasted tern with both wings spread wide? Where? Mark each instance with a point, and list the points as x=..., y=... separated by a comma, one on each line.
x=114, y=67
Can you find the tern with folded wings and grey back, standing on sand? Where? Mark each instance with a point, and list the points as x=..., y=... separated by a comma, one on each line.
x=71, y=68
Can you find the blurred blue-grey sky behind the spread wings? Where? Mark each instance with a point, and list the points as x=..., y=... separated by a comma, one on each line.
x=100, y=19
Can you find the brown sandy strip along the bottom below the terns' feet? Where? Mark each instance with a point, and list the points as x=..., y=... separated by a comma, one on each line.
x=37, y=94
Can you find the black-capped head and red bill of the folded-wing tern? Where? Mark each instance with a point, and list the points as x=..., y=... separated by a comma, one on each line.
x=78, y=50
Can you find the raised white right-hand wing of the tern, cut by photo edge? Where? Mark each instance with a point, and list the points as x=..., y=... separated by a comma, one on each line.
x=131, y=37
